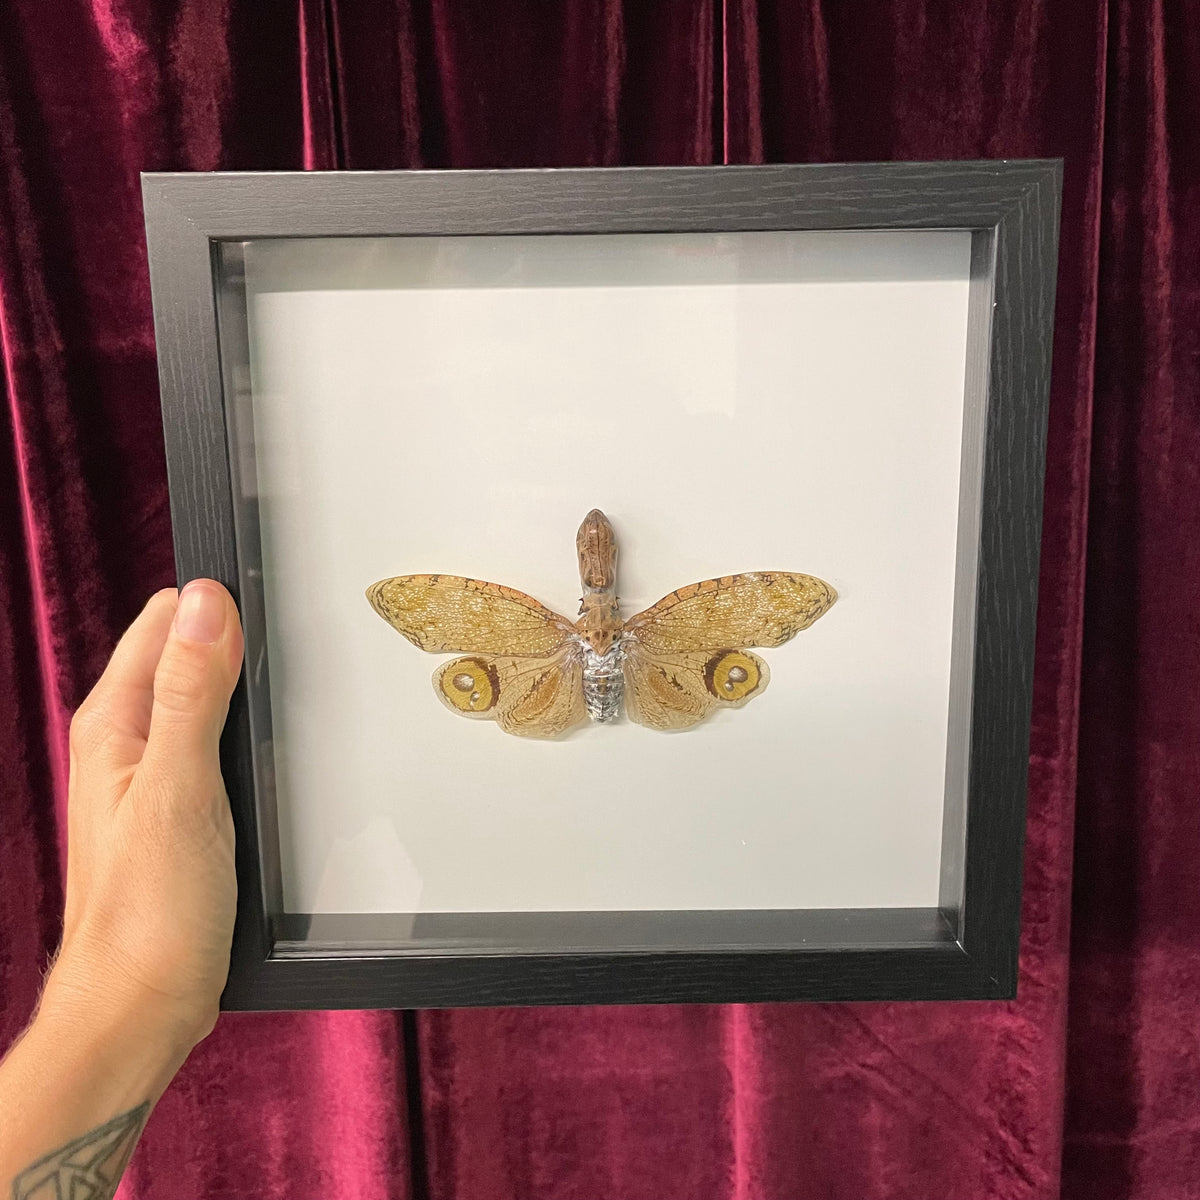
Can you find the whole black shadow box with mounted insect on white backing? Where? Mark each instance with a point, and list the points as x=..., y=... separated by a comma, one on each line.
x=394, y=394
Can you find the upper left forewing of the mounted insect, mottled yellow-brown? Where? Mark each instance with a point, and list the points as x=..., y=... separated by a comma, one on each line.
x=448, y=613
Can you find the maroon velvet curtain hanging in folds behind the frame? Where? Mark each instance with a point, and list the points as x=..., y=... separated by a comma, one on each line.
x=1089, y=1084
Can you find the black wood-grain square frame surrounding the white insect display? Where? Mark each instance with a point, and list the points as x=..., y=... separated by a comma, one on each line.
x=967, y=947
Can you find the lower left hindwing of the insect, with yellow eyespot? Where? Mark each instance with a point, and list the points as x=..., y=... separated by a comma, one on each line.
x=530, y=698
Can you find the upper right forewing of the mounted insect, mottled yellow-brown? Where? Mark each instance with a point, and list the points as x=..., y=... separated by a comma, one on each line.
x=759, y=609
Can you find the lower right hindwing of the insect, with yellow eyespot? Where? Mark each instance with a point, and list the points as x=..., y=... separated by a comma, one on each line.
x=671, y=692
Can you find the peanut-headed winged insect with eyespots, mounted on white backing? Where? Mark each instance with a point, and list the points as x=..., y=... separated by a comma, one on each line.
x=539, y=675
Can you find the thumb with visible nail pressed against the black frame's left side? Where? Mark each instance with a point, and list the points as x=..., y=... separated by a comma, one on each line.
x=195, y=677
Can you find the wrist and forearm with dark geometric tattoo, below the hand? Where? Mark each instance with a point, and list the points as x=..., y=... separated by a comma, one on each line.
x=77, y=1089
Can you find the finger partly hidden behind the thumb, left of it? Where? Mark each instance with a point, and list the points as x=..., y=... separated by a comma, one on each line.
x=113, y=723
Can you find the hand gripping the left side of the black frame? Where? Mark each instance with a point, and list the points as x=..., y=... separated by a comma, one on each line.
x=152, y=892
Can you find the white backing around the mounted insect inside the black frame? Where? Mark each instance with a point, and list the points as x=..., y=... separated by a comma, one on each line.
x=760, y=401
